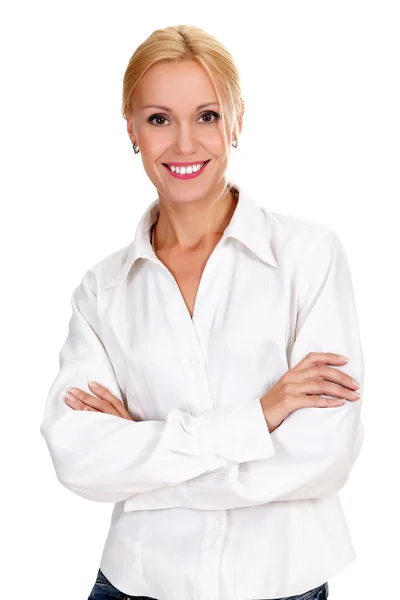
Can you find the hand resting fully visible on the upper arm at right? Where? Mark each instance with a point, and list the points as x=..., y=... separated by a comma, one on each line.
x=298, y=388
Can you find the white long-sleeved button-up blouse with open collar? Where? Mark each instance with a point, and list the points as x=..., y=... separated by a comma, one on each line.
x=209, y=505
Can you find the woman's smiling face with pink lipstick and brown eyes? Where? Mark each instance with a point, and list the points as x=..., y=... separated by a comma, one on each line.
x=176, y=119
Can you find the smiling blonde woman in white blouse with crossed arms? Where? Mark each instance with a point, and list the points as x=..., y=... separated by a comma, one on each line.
x=217, y=335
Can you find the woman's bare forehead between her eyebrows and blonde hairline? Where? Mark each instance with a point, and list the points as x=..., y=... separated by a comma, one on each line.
x=174, y=85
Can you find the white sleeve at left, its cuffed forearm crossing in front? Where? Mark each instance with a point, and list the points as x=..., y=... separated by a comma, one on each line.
x=107, y=458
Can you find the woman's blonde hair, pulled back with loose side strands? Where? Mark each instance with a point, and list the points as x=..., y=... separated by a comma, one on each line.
x=181, y=43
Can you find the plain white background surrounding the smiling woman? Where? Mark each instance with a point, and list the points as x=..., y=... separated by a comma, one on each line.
x=320, y=140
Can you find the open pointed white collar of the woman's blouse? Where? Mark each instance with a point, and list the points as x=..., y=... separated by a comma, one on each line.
x=250, y=224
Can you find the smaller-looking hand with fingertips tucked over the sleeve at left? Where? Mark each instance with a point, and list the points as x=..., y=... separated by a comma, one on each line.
x=104, y=401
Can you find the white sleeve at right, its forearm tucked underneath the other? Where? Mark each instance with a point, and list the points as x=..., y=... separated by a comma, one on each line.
x=316, y=448
